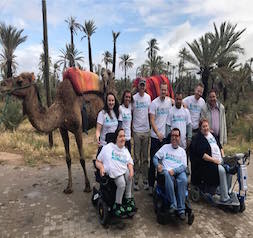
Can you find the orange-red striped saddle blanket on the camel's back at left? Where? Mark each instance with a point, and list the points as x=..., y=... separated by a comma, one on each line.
x=82, y=81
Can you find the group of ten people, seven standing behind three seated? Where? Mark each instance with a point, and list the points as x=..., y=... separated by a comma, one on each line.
x=195, y=128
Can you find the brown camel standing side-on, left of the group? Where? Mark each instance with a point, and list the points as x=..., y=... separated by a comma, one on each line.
x=64, y=113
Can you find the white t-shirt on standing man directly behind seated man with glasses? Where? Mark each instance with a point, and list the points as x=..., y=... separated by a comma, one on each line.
x=179, y=118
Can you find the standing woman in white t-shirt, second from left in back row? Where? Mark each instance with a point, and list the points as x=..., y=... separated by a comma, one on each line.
x=125, y=117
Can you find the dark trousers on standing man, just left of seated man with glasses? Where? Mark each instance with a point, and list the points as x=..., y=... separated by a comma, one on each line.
x=156, y=144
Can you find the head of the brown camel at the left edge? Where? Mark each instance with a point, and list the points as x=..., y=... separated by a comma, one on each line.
x=19, y=85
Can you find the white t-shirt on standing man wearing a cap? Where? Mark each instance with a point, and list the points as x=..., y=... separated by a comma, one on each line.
x=140, y=112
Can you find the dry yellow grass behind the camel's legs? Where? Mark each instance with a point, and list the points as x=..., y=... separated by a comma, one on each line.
x=34, y=145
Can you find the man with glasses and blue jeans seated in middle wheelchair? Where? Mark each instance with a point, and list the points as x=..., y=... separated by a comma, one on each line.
x=171, y=161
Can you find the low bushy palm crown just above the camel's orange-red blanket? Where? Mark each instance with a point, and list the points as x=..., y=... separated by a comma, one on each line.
x=69, y=55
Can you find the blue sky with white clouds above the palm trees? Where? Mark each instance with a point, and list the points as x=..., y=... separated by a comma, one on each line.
x=171, y=22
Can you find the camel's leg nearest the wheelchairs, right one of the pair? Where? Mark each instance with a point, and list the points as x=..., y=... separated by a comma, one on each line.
x=79, y=142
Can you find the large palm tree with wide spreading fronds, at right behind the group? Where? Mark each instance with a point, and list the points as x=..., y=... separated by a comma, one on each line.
x=214, y=50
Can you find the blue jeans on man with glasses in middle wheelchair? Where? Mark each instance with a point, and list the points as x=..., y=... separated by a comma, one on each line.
x=176, y=197
